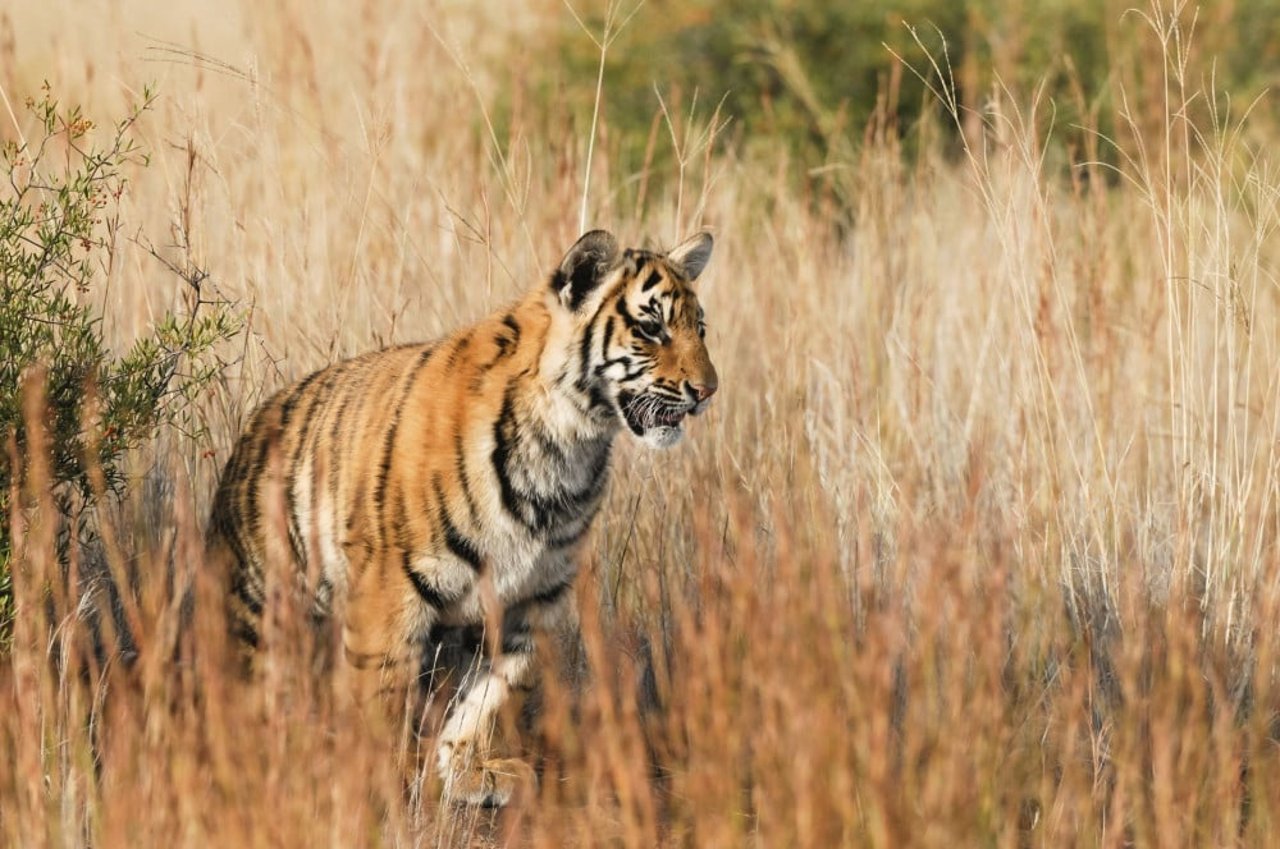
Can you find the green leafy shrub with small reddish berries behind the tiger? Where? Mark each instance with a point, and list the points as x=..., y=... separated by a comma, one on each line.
x=60, y=223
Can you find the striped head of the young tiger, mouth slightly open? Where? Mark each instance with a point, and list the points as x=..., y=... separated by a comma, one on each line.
x=638, y=332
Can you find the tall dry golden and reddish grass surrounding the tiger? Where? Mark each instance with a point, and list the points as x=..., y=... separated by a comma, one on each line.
x=980, y=545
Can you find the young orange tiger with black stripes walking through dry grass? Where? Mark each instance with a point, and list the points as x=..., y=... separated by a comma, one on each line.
x=452, y=483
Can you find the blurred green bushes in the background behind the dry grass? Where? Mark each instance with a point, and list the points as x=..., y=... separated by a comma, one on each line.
x=817, y=76
